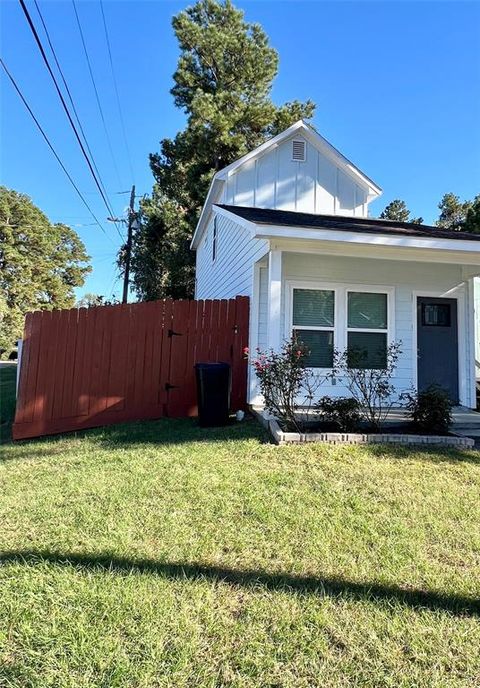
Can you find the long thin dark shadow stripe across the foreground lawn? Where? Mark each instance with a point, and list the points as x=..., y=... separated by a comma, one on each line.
x=321, y=586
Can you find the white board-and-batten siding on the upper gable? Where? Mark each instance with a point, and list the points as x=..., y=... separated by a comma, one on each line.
x=316, y=185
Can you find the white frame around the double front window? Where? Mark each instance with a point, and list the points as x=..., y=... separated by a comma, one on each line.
x=340, y=328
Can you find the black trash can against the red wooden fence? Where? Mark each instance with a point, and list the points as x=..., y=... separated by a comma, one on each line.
x=213, y=393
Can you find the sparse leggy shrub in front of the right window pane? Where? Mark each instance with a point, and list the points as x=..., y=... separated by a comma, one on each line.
x=371, y=387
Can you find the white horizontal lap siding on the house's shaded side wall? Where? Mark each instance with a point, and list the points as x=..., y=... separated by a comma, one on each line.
x=231, y=274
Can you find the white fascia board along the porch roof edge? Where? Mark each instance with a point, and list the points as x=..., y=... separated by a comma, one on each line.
x=469, y=251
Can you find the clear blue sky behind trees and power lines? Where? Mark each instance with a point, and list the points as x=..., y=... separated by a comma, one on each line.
x=397, y=87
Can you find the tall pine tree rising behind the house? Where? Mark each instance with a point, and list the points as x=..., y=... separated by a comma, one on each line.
x=222, y=82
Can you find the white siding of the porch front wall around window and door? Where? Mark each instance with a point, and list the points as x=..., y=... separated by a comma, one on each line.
x=405, y=277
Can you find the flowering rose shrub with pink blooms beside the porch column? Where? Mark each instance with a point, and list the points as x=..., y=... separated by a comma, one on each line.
x=285, y=382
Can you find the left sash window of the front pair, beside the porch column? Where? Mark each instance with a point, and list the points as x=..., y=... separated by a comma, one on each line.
x=313, y=323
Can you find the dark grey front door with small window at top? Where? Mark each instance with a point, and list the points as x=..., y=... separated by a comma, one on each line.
x=437, y=342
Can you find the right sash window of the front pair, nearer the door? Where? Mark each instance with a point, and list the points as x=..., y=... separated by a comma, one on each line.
x=367, y=329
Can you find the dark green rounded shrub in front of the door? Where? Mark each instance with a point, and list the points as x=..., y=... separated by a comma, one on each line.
x=430, y=410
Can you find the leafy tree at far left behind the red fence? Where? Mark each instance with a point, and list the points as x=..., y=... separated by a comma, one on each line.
x=40, y=263
